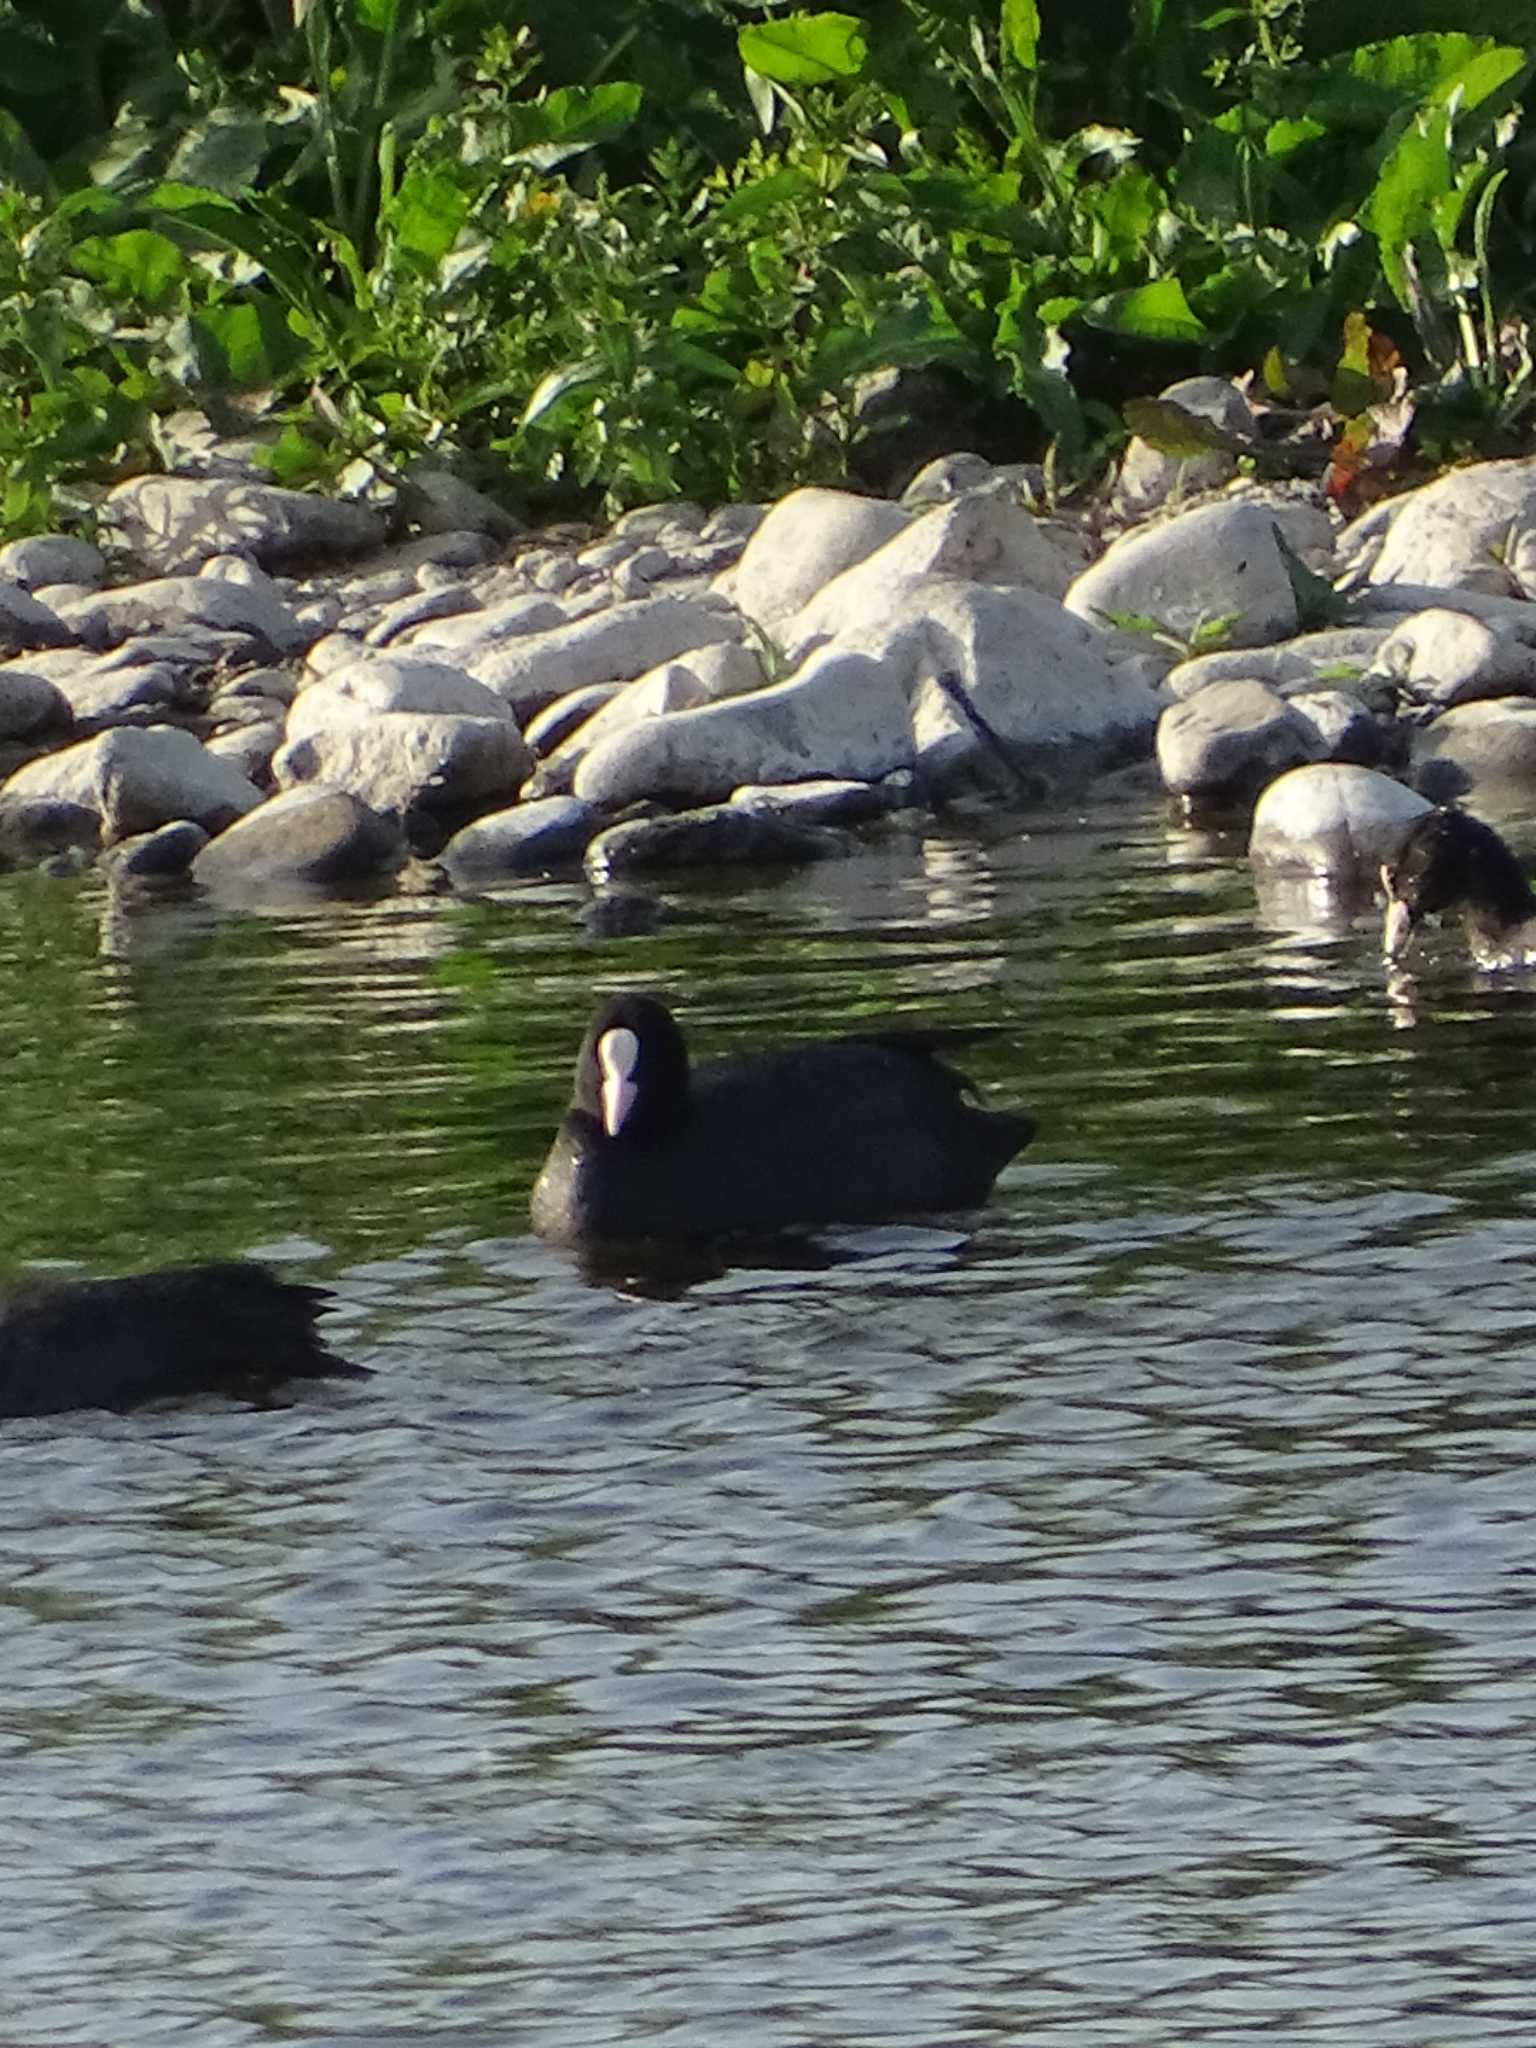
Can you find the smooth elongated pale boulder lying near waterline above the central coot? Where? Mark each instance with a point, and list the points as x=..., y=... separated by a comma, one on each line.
x=841, y=716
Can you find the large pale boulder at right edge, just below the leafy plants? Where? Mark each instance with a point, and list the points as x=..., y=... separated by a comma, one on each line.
x=1471, y=529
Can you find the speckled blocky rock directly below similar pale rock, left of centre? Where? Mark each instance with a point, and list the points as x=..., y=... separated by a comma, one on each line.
x=407, y=761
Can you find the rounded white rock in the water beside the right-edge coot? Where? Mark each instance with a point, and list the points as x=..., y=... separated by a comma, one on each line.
x=1332, y=820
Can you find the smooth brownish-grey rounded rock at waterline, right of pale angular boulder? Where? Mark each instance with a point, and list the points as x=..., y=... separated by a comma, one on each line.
x=312, y=837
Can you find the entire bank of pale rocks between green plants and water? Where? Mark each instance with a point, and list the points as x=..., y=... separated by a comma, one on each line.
x=271, y=691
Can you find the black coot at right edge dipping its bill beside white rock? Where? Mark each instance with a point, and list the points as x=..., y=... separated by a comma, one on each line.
x=1451, y=861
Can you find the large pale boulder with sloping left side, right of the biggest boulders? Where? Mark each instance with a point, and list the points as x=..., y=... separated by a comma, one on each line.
x=1218, y=562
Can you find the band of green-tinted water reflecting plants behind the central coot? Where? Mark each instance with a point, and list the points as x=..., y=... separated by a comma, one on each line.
x=189, y=1084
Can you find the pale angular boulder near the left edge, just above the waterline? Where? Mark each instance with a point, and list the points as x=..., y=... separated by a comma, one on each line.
x=136, y=781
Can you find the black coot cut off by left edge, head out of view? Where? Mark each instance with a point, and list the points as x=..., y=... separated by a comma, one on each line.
x=228, y=1328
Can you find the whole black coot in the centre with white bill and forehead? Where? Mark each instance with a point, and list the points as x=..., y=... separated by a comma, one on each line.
x=835, y=1132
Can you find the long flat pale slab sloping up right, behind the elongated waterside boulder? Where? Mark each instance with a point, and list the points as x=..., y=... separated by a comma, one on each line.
x=611, y=646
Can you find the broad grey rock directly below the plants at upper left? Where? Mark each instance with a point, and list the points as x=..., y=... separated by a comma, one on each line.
x=175, y=523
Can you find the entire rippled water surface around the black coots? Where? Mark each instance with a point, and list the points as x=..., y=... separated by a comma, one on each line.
x=1111, y=1623
